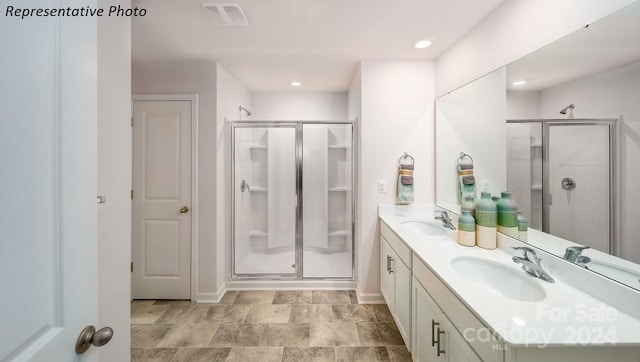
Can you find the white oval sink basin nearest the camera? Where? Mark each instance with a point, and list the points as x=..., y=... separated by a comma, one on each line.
x=499, y=279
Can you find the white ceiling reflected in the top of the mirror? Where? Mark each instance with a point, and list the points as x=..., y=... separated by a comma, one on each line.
x=606, y=44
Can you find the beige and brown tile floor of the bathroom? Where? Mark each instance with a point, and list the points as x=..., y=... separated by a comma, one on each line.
x=266, y=326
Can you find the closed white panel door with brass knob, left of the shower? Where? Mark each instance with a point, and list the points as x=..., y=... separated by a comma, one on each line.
x=161, y=200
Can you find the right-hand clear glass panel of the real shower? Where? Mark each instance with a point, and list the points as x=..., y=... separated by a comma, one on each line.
x=327, y=191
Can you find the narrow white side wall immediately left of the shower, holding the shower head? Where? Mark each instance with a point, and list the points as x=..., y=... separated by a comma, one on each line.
x=231, y=94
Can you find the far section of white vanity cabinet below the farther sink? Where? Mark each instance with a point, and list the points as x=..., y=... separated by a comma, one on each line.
x=395, y=280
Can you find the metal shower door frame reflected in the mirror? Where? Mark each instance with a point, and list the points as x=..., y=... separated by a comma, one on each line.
x=614, y=188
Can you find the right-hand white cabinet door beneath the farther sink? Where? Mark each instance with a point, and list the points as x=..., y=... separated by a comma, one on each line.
x=403, y=299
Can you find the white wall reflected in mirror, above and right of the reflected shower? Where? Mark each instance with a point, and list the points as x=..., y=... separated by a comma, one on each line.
x=611, y=94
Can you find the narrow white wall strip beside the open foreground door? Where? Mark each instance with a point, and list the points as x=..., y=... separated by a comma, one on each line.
x=114, y=153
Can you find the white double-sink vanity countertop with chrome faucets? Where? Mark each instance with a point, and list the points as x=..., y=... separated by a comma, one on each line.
x=566, y=316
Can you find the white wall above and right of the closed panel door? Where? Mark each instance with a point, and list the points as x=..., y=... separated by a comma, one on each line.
x=201, y=79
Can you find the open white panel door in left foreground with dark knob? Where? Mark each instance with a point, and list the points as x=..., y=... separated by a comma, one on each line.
x=48, y=183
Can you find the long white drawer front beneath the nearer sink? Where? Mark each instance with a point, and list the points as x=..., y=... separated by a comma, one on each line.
x=469, y=326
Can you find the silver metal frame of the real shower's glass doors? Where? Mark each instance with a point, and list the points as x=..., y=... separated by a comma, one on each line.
x=299, y=246
